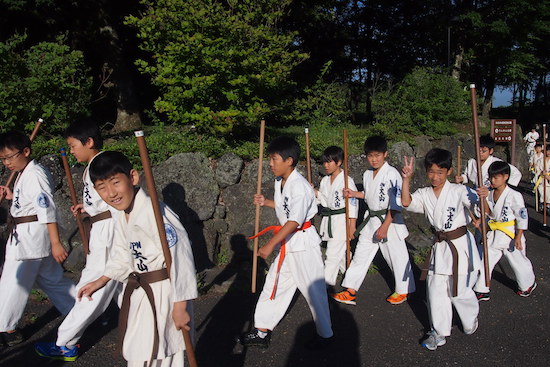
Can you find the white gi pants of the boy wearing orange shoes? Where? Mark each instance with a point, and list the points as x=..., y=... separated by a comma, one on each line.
x=396, y=255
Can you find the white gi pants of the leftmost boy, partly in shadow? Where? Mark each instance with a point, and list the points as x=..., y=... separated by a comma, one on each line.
x=18, y=278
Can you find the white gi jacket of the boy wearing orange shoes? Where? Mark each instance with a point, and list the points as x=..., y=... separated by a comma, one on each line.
x=383, y=192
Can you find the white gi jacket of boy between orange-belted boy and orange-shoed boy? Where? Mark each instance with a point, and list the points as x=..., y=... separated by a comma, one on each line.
x=330, y=195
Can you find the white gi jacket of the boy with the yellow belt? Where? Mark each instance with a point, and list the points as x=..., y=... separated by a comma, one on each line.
x=510, y=206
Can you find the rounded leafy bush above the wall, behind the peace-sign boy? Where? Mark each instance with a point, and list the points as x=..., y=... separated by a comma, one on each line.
x=427, y=102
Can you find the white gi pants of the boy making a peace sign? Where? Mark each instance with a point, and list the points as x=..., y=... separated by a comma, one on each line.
x=441, y=302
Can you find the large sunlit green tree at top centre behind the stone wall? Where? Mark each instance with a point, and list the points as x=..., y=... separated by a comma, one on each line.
x=217, y=64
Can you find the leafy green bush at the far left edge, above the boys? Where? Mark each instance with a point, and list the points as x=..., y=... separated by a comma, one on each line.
x=47, y=80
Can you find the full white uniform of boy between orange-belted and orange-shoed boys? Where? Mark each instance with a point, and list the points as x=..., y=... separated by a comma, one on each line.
x=330, y=196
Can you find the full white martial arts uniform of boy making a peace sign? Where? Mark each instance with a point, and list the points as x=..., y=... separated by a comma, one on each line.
x=446, y=213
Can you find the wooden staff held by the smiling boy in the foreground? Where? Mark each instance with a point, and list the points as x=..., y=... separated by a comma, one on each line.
x=148, y=172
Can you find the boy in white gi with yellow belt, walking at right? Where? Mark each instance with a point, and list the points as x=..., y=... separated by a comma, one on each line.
x=508, y=219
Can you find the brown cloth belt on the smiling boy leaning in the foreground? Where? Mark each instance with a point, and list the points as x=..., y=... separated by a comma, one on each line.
x=143, y=280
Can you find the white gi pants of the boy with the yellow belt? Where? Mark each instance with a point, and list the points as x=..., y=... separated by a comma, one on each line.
x=520, y=264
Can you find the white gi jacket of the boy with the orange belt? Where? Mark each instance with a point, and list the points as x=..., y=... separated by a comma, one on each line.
x=296, y=202
